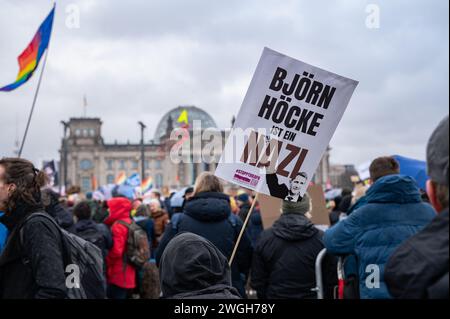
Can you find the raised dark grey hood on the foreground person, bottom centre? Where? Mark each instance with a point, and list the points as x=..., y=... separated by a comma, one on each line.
x=191, y=264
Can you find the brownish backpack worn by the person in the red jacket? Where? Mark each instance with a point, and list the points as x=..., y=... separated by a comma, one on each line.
x=138, y=250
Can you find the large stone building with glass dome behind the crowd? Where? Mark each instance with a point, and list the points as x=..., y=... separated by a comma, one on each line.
x=89, y=157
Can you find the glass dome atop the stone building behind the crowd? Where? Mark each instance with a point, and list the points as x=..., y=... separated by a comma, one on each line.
x=193, y=114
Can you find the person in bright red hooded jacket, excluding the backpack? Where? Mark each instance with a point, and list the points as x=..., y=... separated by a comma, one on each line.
x=121, y=276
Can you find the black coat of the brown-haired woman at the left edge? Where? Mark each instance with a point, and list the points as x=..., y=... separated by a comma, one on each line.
x=32, y=267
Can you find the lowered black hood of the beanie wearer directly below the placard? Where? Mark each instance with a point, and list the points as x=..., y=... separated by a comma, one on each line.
x=294, y=227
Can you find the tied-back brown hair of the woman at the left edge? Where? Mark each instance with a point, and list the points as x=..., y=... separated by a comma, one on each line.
x=28, y=181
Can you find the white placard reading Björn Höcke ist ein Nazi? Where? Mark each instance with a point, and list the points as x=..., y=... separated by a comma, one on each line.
x=285, y=123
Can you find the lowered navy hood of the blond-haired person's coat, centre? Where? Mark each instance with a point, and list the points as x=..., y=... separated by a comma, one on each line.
x=208, y=207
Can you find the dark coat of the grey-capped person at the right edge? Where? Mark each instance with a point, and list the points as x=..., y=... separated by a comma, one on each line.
x=419, y=267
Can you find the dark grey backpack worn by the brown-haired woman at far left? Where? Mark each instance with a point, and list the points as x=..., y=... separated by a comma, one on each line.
x=83, y=264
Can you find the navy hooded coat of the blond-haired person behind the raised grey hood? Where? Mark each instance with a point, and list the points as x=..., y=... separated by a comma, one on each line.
x=208, y=215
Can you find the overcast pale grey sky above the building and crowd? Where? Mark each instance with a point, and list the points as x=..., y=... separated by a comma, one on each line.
x=137, y=59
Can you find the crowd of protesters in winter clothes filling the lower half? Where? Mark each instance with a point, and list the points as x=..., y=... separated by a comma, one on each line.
x=391, y=237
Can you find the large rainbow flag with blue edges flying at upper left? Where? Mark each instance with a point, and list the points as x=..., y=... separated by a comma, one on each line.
x=30, y=57
